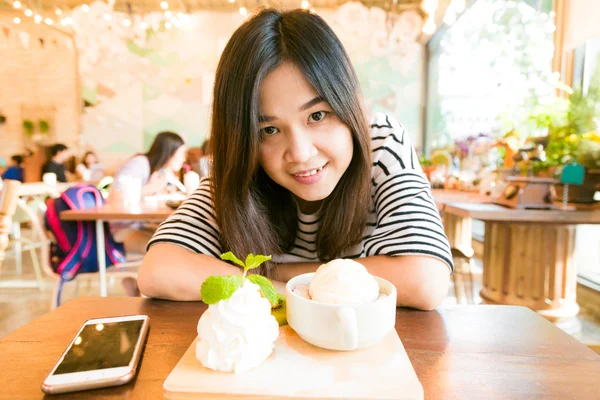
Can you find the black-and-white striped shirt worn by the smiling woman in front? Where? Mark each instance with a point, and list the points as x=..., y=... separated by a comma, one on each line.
x=404, y=219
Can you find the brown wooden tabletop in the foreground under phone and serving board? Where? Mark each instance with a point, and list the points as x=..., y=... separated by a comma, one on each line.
x=469, y=352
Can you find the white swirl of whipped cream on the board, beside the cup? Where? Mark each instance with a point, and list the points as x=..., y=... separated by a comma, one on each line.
x=239, y=333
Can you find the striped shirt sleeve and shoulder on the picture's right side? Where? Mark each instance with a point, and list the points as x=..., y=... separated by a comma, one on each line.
x=408, y=221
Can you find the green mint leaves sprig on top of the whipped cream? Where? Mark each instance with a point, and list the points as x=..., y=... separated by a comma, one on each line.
x=217, y=288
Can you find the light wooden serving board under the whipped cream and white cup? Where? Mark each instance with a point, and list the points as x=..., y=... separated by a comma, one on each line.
x=299, y=370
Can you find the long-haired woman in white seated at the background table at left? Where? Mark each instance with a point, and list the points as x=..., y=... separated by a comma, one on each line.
x=152, y=171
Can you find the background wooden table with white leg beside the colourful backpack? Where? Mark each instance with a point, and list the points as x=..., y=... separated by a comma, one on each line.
x=142, y=212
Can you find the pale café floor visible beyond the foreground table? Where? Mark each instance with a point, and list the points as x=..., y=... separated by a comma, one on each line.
x=18, y=306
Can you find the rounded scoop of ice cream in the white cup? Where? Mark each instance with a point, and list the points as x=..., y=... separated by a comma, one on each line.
x=343, y=281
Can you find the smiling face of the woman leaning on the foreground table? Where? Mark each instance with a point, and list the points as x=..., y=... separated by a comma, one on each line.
x=305, y=147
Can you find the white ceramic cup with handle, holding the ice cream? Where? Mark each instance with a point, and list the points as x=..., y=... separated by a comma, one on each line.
x=339, y=326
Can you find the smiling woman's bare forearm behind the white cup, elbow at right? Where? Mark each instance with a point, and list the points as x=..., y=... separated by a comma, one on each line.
x=421, y=282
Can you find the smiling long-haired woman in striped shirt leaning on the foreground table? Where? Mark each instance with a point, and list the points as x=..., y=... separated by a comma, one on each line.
x=294, y=175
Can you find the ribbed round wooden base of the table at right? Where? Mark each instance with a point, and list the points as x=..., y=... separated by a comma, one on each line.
x=531, y=265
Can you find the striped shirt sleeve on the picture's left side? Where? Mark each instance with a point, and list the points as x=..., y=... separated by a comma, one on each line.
x=193, y=225
